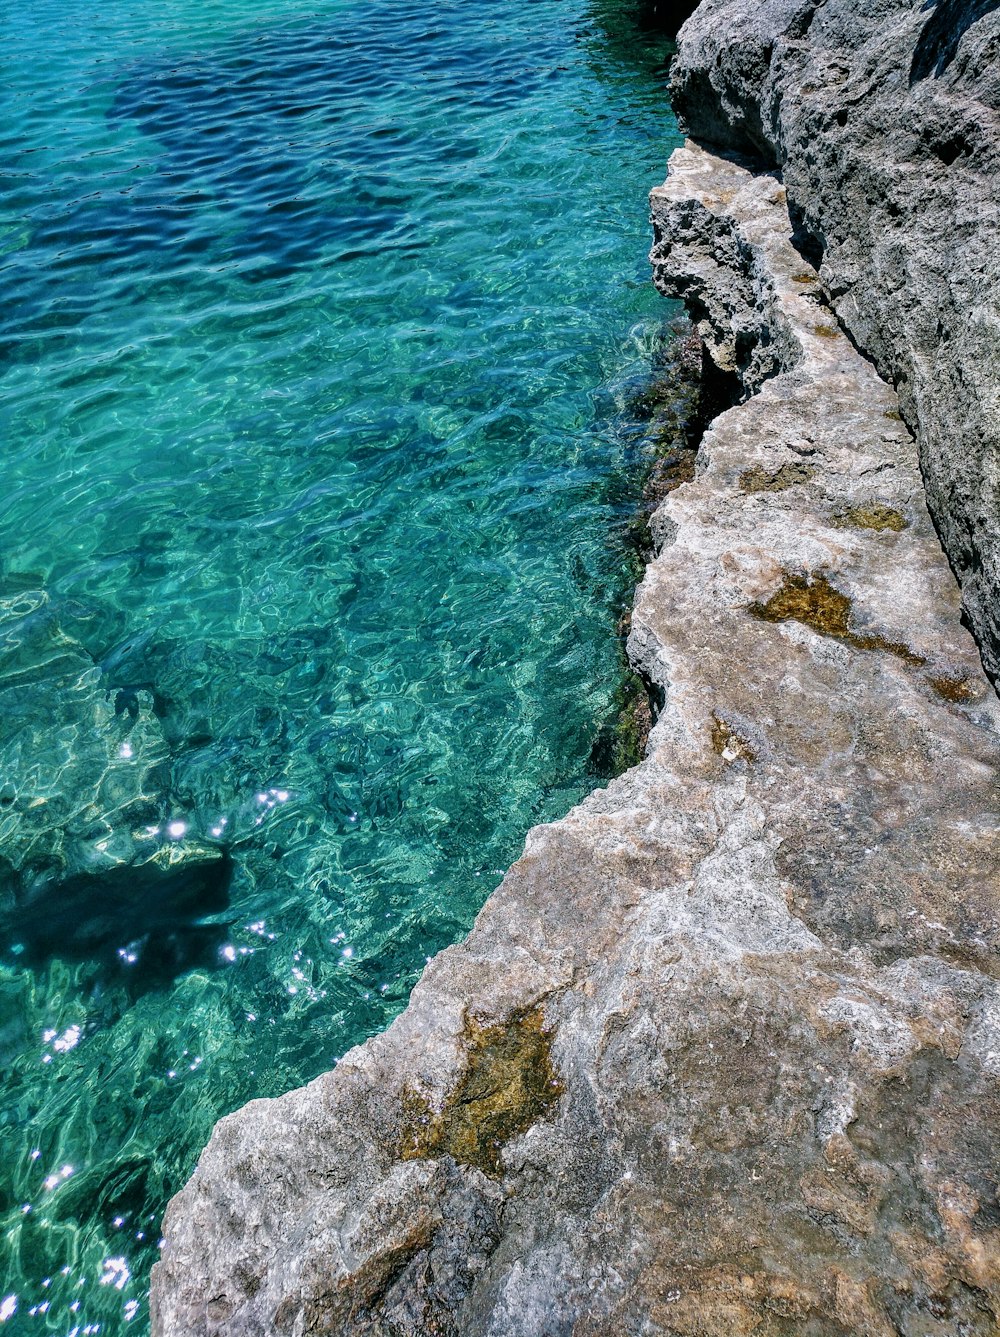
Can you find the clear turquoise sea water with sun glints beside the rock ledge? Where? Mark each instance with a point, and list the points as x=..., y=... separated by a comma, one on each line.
x=319, y=328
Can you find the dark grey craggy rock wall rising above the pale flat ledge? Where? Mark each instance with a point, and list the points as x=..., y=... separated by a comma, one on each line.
x=884, y=120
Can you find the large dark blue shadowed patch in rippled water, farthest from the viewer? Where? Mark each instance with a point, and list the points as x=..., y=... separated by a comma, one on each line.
x=252, y=170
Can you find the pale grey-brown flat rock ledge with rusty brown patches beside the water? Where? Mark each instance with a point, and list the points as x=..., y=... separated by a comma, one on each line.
x=733, y=1025
